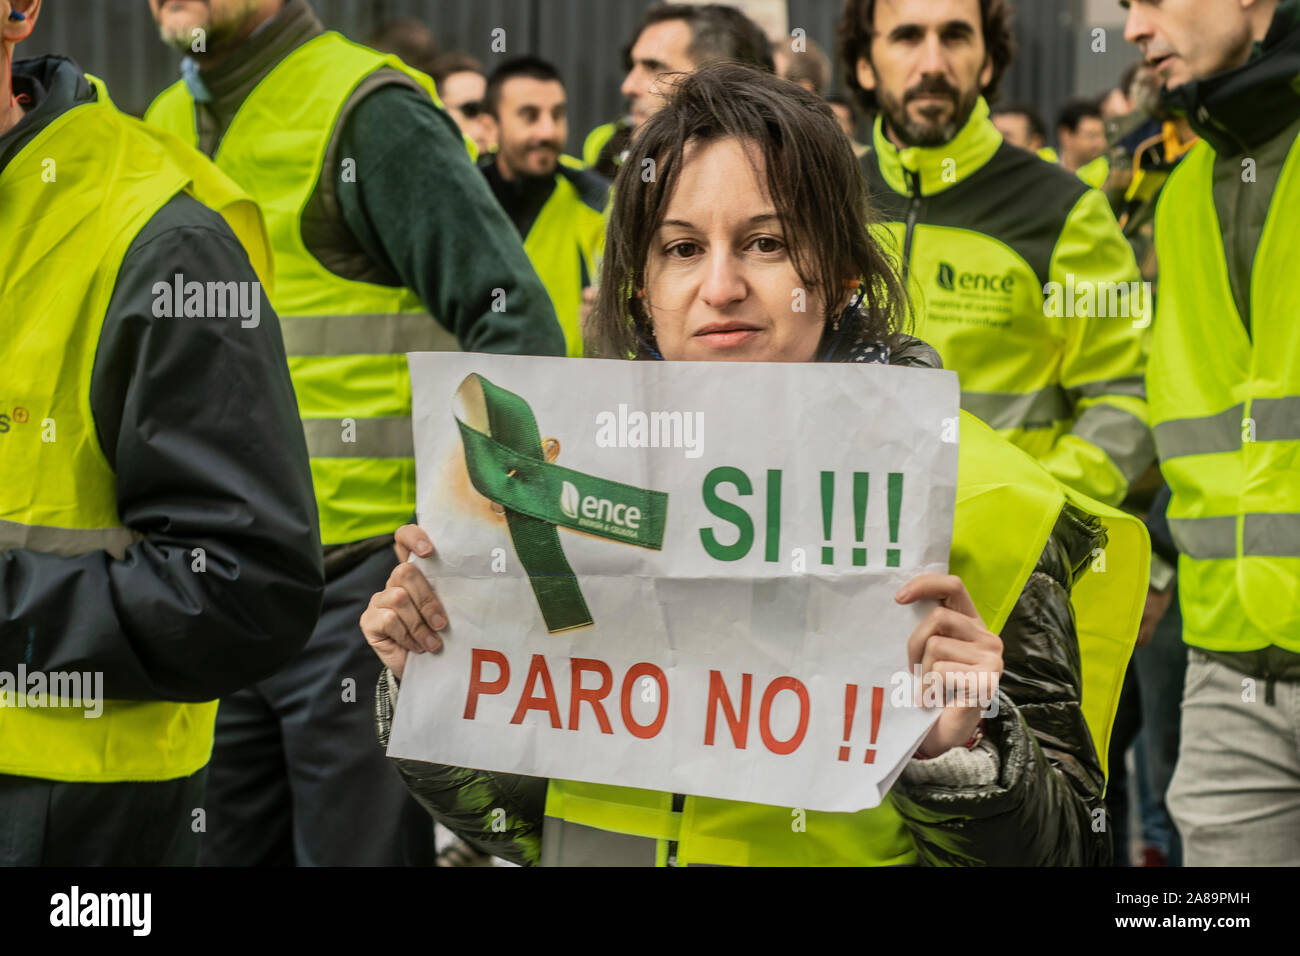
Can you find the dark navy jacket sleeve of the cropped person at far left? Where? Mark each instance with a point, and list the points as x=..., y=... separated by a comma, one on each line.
x=200, y=423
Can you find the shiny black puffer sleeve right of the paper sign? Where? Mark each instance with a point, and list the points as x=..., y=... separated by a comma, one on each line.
x=1046, y=808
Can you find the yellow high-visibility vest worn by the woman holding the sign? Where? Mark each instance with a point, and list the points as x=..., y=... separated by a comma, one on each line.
x=1007, y=508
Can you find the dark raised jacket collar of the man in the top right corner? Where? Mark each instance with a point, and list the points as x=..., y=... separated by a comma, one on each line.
x=1241, y=110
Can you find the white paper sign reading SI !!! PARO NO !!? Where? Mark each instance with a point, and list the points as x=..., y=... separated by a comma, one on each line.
x=755, y=651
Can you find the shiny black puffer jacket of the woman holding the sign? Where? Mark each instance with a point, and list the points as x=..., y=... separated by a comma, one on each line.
x=1043, y=810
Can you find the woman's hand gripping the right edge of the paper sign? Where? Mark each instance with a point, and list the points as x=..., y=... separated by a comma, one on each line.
x=955, y=647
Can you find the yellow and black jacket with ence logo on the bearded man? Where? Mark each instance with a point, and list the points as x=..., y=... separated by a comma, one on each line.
x=1026, y=287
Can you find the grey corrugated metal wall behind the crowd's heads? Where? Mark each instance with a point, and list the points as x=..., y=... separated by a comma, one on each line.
x=116, y=41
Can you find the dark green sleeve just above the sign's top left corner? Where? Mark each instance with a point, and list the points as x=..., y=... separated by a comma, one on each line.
x=417, y=205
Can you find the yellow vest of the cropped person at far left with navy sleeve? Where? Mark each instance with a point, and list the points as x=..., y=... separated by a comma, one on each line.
x=58, y=492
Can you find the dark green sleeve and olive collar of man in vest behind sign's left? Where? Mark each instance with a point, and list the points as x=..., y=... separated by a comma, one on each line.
x=418, y=215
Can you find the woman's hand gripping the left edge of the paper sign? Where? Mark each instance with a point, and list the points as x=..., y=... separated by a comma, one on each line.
x=406, y=616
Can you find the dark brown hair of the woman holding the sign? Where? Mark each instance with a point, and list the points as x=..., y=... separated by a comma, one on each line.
x=814, y=183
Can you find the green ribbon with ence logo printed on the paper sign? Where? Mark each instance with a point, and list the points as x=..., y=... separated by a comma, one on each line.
x=508, y=465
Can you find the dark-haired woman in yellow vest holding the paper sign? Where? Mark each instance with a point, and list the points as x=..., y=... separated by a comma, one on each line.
x=755, y=193
